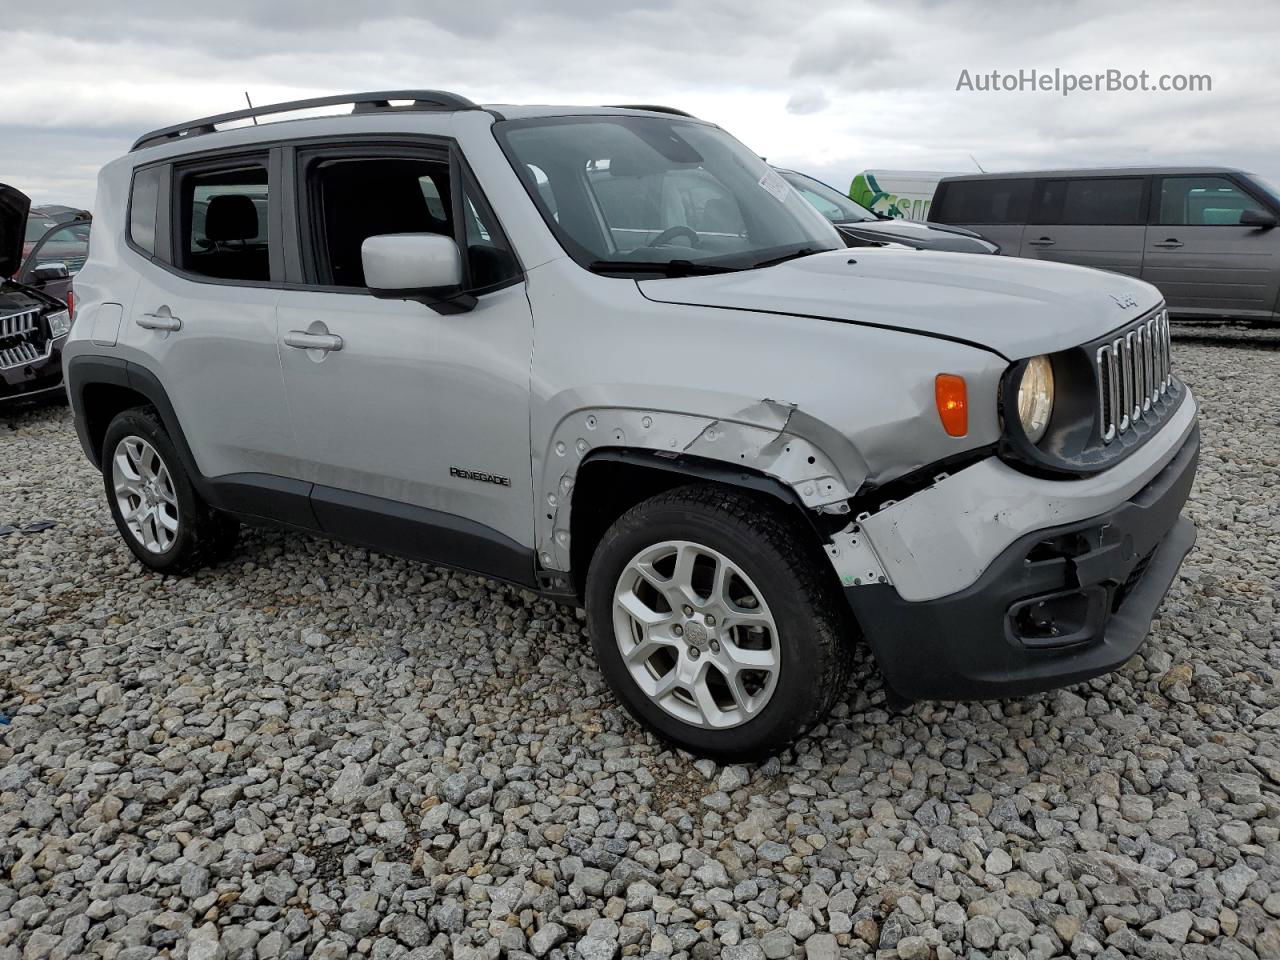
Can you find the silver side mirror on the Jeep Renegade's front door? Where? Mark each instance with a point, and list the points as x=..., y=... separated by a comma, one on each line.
x=423, y=267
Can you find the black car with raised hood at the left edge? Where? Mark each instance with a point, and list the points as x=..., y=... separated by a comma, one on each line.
x=34, y=323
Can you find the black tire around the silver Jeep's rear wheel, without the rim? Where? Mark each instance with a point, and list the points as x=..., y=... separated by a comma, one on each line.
x=204, y=536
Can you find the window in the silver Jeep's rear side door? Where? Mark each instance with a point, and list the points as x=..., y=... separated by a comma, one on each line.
x=225, y=223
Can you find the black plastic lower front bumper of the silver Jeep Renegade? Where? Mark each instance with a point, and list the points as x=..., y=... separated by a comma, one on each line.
x=1057, y=607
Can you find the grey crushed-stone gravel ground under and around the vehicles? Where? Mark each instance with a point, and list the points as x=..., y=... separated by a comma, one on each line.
x=317, y=752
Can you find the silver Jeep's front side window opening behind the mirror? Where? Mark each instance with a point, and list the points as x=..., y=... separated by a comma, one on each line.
x=351, y=199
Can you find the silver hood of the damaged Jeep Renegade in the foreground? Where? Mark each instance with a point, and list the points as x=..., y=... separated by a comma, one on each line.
x=1014, y=308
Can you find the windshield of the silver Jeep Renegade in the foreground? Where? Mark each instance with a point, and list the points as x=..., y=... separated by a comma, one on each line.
x=624, y=194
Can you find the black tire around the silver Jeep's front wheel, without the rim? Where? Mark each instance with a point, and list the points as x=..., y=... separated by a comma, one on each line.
x=815, y=628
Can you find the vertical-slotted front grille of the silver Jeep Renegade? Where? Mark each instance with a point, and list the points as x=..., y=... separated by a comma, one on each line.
x=1135, y=372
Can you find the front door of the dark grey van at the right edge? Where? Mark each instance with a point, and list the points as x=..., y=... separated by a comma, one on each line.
x=1201, y=258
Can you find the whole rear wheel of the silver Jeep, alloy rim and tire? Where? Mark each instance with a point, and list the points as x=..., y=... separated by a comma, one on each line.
x=157, y=509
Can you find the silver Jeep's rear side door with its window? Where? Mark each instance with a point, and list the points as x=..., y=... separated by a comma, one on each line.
x=204, y=313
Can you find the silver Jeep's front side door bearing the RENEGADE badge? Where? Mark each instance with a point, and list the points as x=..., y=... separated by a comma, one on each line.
x=413, y=426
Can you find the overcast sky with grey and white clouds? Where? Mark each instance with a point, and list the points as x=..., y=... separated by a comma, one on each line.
x=828, y=88
